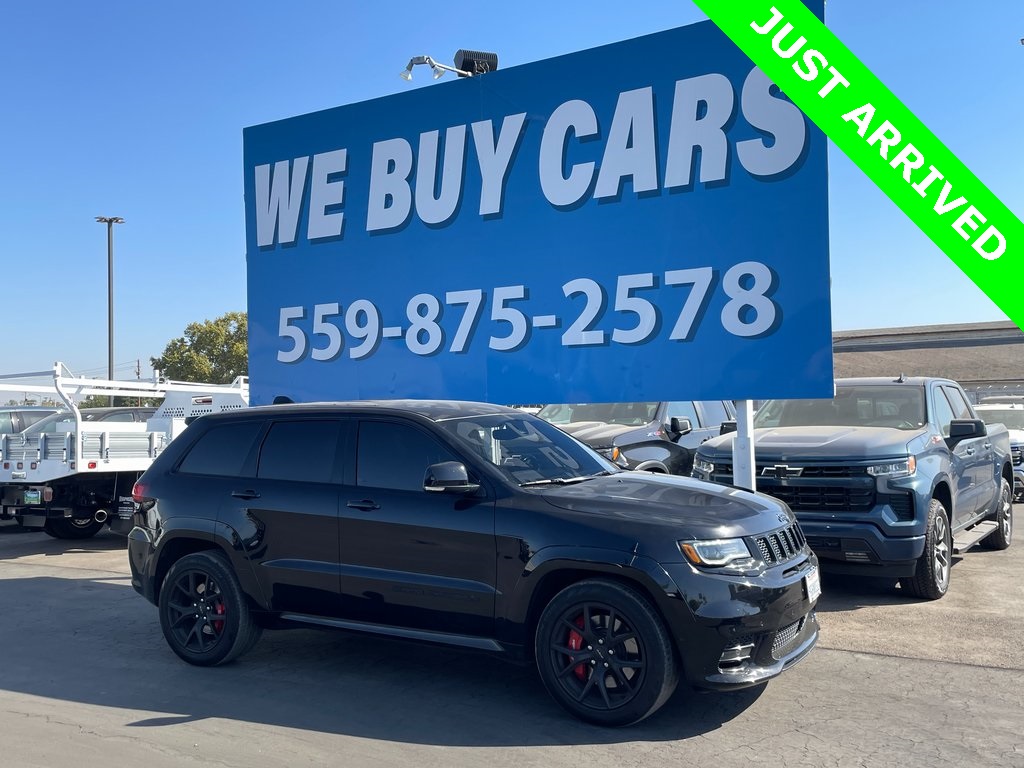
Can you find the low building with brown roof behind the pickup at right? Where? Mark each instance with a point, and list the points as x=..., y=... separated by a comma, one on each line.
x=985, y=358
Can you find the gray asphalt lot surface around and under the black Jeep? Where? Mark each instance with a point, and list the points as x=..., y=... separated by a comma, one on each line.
x=89, y=681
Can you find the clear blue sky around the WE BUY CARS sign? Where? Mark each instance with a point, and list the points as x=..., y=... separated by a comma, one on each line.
x=137, y=110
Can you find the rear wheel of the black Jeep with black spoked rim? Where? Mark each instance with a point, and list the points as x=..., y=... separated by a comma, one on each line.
x=204, y=615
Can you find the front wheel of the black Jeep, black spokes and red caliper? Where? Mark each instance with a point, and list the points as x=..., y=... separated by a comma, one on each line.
x=605, y=655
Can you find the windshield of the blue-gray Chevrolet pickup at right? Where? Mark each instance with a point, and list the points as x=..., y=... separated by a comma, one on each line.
x=857, y=406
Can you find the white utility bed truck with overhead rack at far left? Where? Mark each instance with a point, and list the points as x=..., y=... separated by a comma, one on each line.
x=73, y=482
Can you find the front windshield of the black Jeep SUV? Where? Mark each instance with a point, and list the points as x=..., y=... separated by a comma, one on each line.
x=527, y=451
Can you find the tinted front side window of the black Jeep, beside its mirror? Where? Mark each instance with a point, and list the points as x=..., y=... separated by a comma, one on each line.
x=397, y=456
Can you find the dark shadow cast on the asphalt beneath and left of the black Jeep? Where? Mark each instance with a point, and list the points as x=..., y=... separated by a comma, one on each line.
x=97, y=643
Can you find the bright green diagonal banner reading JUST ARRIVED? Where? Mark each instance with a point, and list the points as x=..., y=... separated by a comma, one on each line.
x=864, y=118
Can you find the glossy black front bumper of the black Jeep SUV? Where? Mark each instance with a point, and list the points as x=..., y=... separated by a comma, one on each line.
x=744, y=631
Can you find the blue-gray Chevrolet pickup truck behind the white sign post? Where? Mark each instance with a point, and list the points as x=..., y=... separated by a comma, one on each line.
x=891, y=478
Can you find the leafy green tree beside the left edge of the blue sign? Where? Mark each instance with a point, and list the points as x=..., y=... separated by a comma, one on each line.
x=214, y=352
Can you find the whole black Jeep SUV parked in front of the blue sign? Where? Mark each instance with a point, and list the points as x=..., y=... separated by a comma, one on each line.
x=474, y=526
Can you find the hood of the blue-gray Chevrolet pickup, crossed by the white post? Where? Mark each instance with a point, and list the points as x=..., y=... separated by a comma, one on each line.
x=787, y=444
